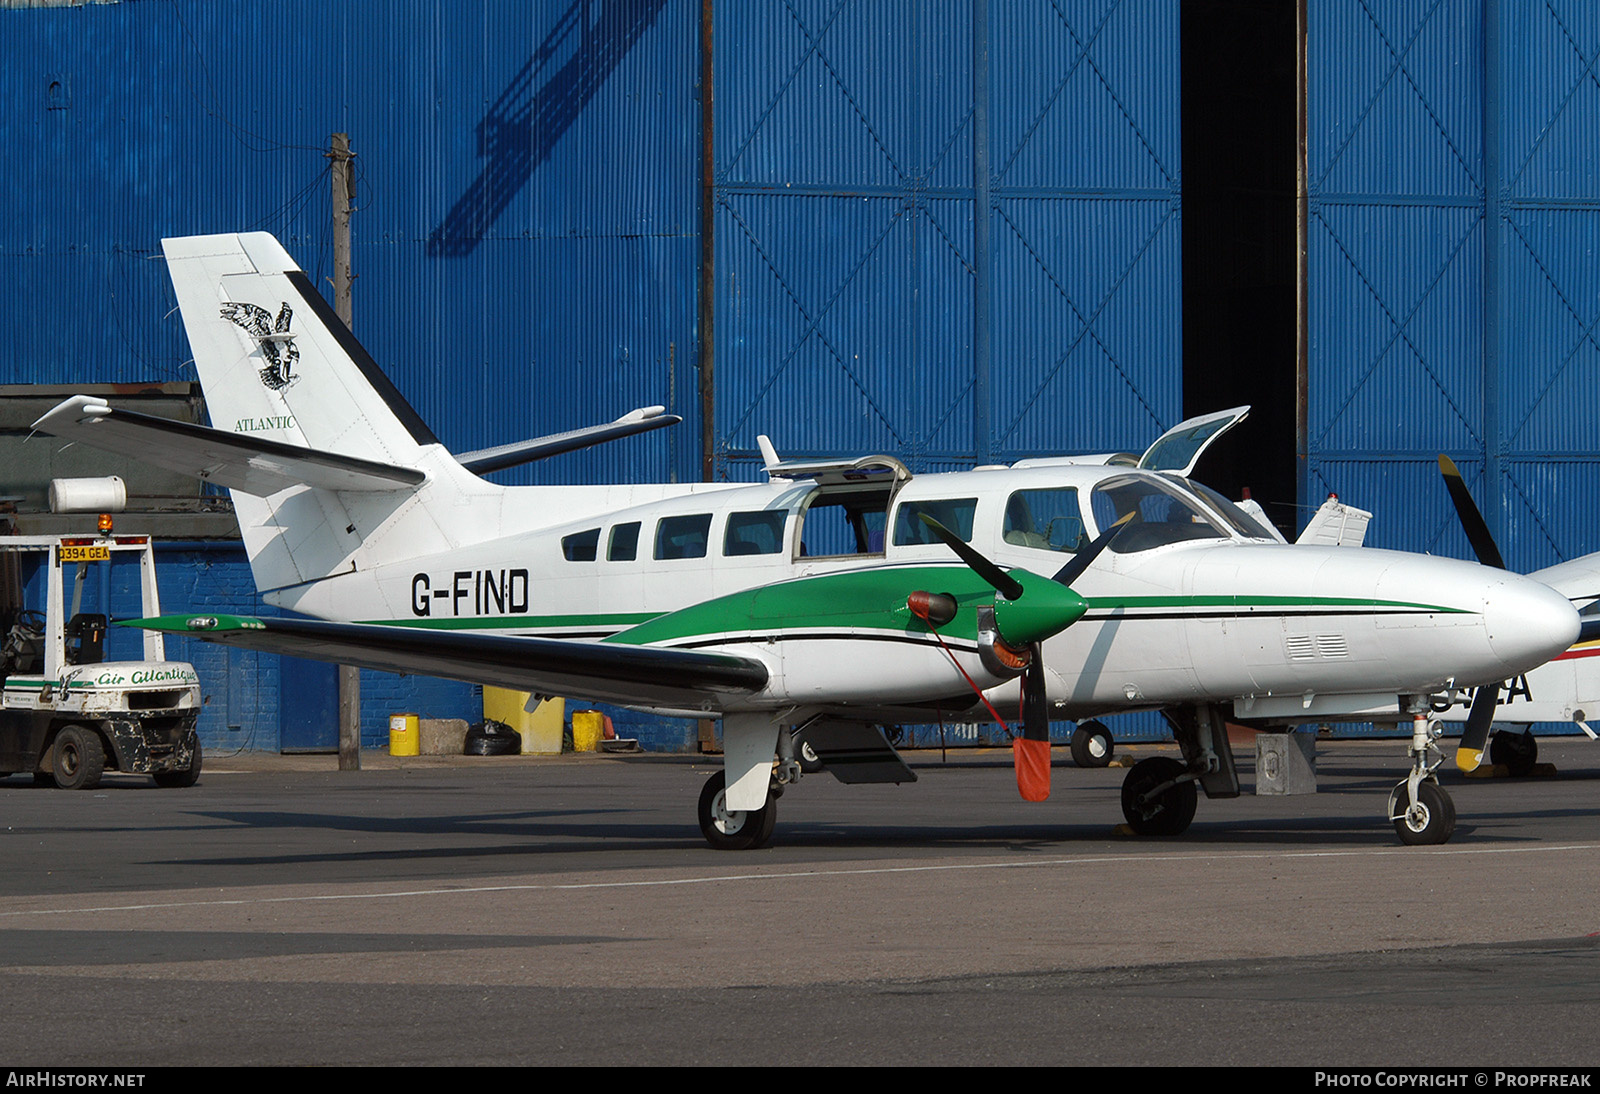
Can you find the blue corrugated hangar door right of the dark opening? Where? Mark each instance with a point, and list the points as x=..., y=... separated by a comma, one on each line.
x=1455, y=297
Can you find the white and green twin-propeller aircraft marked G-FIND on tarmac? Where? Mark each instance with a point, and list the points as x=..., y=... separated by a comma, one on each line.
x=814, y=609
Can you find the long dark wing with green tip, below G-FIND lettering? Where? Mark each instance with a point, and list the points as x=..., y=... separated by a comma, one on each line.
x=633, y=676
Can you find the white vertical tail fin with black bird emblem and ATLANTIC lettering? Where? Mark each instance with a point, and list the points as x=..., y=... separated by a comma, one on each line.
x=332, y=471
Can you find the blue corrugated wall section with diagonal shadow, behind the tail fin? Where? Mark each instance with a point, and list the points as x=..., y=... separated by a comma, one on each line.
x=526, y=239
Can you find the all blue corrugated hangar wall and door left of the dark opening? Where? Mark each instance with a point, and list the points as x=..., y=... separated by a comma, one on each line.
x=946, y=231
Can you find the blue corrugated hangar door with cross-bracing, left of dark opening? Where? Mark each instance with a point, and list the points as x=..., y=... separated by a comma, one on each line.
x=946, y=231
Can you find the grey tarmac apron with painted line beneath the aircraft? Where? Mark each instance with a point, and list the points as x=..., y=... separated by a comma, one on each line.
x=566, y=911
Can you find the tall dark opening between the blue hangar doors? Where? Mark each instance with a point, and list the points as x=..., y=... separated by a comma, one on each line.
x=1241, y=241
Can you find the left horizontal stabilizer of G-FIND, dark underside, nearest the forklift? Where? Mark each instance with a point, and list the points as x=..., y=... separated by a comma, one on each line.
x=239, y=461
